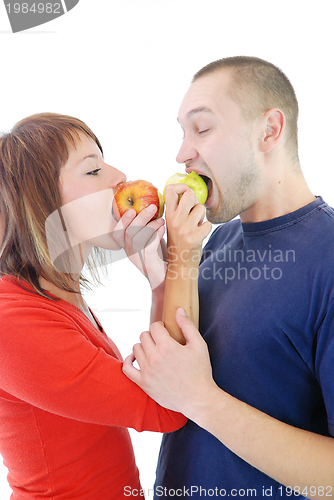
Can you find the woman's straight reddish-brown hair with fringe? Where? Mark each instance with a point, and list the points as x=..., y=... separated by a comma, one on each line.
x=31, y=157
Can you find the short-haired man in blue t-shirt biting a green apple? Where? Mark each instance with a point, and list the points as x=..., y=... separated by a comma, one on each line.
x=262, y=424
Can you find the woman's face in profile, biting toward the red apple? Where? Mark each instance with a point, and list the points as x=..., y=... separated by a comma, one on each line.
x=87, y=188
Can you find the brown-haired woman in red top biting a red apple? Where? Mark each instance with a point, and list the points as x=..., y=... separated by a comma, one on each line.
x=64, y=402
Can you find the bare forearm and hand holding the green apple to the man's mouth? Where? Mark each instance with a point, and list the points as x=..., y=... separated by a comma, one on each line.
x=185, y=234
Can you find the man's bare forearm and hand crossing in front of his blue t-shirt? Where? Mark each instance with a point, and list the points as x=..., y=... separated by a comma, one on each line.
x=179, y=377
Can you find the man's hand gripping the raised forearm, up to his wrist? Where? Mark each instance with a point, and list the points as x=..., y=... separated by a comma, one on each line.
x=176, y=376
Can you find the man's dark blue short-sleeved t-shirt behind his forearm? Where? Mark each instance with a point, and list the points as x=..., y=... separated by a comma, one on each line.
x=267, y=314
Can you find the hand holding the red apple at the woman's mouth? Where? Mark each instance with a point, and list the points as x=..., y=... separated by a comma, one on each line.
x=142, y=240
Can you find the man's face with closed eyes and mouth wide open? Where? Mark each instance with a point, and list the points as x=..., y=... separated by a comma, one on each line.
x=219, y=143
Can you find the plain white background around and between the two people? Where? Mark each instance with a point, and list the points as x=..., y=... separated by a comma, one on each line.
x=123, y=67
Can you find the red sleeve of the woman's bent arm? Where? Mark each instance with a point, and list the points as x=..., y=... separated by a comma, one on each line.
x=48, y=359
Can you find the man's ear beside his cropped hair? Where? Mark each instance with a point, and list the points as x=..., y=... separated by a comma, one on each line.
x=273, y=125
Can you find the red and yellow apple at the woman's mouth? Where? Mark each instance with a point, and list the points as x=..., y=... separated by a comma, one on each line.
x=138, y=195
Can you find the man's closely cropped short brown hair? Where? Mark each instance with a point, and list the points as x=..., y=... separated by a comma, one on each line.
x=257, y=86
